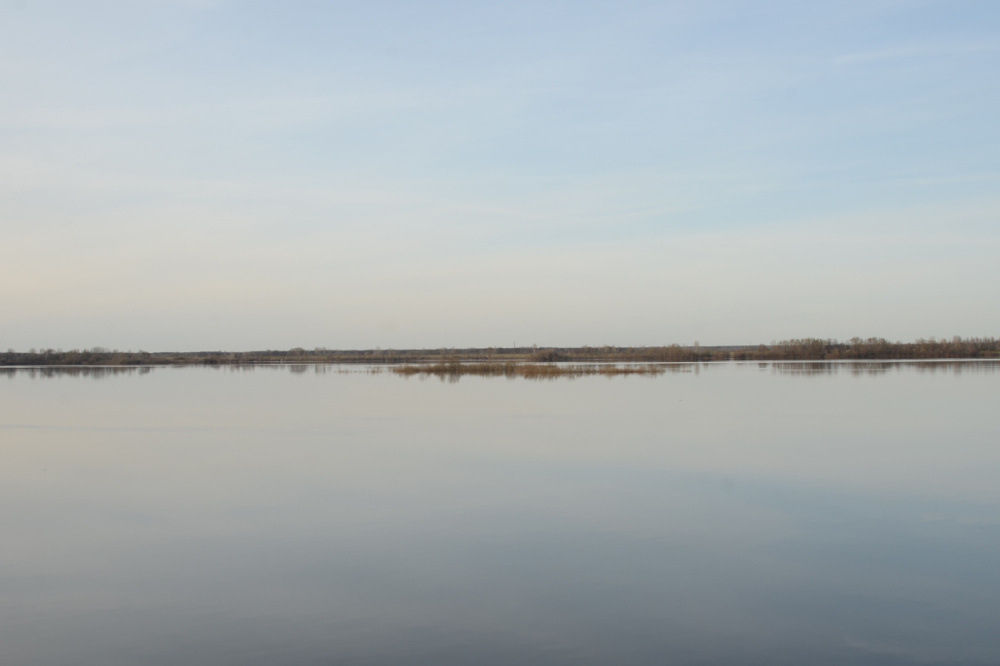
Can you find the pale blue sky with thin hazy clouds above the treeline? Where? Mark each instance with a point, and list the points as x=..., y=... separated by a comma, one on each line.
x=235, y=174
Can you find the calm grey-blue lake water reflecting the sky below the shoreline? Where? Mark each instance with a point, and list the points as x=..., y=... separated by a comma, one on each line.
x=717, y=514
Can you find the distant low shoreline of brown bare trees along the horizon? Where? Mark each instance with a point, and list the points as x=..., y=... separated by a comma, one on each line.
x=811, y=349
